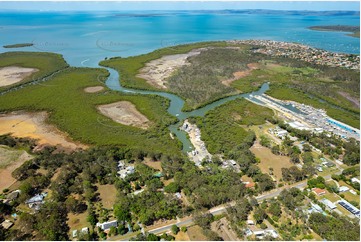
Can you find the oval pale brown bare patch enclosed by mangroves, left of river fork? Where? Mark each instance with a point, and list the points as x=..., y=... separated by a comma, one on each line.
x=126, y=113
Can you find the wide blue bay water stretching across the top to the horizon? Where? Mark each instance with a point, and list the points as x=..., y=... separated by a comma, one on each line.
x=86, y=38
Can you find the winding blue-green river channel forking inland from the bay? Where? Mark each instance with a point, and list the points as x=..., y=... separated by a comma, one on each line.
x=176, y=104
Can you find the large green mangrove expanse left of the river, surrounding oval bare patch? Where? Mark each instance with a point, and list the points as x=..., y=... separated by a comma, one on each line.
x=74, y=111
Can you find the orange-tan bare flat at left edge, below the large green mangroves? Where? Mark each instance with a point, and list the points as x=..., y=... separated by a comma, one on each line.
x=33, y=125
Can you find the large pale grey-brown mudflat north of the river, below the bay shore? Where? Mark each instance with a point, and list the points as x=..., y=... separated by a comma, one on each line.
x=157, y=71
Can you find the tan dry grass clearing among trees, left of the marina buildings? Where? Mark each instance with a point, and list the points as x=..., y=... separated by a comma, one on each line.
x=270, y=160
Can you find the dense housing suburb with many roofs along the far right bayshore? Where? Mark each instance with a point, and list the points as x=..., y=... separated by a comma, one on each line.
x=305, y=53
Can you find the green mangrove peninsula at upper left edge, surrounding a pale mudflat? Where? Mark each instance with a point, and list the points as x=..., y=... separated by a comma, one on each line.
x=47, y=63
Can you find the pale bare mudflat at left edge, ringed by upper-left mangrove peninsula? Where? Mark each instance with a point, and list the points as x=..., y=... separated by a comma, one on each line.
x=12, y=74
